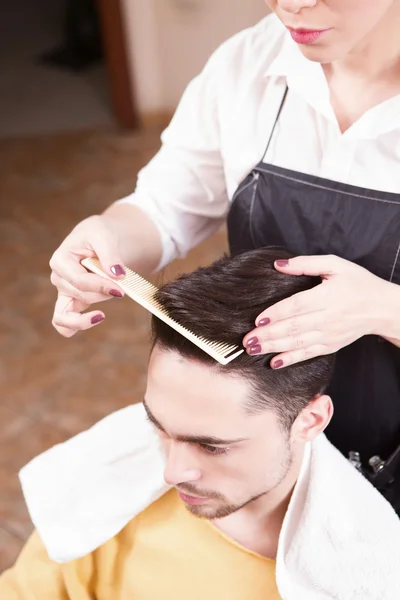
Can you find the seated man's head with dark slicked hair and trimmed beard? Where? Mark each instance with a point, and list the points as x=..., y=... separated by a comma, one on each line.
x=231, y=434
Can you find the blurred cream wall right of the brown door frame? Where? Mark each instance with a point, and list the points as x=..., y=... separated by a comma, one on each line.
x=169, y=42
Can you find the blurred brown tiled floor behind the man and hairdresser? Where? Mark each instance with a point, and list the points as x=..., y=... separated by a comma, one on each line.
x=51, y=387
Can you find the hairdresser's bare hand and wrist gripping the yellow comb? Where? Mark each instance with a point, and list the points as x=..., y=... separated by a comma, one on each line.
x=122, y=235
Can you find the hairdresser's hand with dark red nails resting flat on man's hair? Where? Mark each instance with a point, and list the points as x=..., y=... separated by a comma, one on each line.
x=348, y=304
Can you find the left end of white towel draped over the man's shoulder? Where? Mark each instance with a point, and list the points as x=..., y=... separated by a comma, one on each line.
x=83, y=492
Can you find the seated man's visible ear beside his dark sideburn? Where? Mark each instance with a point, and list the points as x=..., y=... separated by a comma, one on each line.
x=313, y=419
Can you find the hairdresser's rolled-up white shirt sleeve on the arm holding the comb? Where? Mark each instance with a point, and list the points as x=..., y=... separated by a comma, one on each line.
x=183, y=187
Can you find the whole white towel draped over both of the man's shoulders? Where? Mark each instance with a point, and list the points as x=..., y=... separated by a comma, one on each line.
x=340, y=539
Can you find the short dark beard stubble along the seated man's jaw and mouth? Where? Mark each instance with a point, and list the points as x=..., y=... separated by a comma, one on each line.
x=225, y=507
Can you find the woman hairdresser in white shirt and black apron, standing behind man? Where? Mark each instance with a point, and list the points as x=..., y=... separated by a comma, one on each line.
x=291, y=134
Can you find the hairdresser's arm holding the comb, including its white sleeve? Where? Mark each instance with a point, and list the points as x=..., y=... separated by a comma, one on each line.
x=180, y=200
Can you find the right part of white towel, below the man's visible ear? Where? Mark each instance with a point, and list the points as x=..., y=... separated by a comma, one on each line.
x=340, y=538
